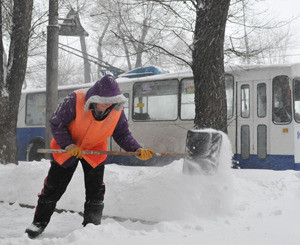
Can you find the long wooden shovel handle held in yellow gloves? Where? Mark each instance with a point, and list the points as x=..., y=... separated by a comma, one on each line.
x=121, y=153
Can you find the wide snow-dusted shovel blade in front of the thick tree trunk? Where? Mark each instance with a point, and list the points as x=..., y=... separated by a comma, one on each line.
x=203, y=147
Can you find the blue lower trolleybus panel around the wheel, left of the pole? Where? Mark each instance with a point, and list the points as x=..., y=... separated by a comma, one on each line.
x=24, y=136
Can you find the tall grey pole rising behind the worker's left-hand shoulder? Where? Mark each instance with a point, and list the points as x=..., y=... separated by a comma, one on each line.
x=52, y=66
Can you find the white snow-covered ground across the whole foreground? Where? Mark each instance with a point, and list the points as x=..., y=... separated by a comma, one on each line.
x=230, y=207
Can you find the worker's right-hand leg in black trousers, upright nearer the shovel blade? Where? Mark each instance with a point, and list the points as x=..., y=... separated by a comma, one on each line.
x=94, y=193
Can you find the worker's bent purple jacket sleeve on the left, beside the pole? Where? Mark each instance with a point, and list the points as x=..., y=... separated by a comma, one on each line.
x=61, y=118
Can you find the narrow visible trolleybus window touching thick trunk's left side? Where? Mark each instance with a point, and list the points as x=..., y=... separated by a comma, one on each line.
x=187, y=99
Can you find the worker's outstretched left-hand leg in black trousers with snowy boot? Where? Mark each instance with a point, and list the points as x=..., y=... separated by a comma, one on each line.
x=55, y=185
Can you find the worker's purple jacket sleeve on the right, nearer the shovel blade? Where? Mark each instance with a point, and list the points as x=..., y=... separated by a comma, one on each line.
x=123, y=136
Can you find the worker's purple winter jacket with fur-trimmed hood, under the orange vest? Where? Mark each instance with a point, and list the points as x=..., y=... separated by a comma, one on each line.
x=104, y=91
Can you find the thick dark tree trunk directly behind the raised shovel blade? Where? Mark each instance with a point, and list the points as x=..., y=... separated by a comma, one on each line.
x=208, y=64
